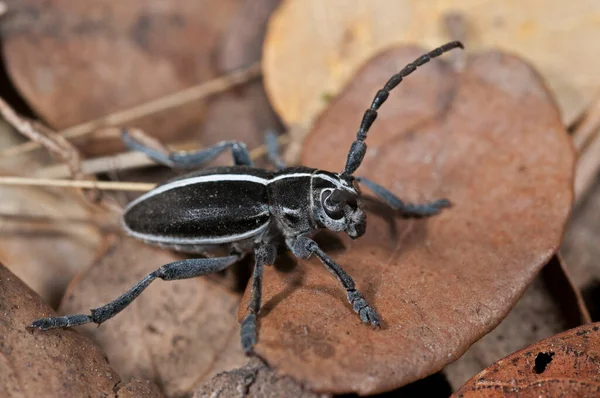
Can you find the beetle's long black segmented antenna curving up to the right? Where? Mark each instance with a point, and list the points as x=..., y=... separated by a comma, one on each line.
x=359, y=148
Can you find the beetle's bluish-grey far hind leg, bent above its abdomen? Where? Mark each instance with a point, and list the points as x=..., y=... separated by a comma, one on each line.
x=185, y=159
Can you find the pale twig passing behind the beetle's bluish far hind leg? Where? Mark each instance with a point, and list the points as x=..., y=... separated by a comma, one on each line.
x=128, y=160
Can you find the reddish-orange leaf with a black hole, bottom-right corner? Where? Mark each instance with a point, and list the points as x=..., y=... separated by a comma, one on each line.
x=565, y=365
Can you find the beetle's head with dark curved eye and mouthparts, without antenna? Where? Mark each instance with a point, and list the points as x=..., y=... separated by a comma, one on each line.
x=338, y=206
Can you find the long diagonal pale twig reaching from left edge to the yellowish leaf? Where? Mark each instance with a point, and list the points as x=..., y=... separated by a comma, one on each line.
x=182, y=97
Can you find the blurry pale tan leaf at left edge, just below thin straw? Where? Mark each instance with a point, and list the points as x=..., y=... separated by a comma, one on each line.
x=47, y=237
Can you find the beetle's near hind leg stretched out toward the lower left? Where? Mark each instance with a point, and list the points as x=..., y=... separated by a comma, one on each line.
x=173, y=271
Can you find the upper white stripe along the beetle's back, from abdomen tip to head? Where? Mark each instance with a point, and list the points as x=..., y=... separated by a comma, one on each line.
x=232, y=177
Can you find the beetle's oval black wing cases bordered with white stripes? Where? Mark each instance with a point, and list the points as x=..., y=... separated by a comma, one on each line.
x=200, y=210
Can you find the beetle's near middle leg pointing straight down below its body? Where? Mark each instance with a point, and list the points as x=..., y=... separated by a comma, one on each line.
x=263, y=255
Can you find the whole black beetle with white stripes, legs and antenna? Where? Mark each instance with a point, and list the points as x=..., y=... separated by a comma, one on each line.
x=241, y=209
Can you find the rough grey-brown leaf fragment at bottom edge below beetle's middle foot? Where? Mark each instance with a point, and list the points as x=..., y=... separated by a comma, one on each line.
x=255, y=379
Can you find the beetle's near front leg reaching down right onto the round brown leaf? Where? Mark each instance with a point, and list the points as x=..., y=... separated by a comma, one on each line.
x=303, y=247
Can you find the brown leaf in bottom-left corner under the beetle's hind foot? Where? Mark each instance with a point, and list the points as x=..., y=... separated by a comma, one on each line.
x=59, y=363
